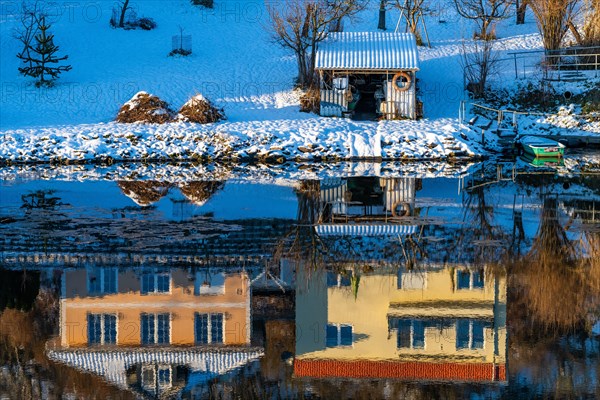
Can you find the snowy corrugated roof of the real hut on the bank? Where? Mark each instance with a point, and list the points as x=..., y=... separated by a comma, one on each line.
x=368, y=50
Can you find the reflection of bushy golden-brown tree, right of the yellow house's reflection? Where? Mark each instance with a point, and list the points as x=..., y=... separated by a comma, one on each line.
x=554, y=287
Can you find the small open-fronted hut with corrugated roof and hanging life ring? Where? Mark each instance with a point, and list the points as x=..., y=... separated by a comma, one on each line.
x=368, y=75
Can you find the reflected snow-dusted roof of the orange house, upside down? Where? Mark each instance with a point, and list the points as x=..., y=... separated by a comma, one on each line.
x=112, y=365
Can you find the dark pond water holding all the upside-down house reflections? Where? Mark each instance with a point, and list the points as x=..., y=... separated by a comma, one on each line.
x=480, y=284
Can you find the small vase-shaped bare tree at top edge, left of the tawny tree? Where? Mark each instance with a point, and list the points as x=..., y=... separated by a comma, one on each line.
x=485, y=13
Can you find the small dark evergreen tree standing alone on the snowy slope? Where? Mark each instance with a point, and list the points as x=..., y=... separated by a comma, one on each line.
x=40, y=57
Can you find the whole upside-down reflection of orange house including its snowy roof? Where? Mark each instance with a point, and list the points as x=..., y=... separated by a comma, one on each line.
x=154, y=331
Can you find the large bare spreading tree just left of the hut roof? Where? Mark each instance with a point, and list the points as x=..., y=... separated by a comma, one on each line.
x=301, y=25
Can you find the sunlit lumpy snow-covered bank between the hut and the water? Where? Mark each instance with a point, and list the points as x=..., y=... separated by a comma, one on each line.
x=313, y=138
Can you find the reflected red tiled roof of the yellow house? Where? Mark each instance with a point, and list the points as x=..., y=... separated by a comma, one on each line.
x=409, y=370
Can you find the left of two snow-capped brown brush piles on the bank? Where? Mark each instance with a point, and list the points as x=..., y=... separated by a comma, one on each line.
x=146, y=108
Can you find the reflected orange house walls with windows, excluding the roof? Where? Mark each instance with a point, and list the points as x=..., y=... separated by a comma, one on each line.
x=106, y=306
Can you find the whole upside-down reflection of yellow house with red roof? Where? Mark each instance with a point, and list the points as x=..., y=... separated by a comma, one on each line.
x=436, y=324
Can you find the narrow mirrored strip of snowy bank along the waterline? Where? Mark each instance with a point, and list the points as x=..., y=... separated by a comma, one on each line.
x=282, y=174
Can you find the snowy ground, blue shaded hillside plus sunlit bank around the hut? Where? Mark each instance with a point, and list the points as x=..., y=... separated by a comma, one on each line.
x=235, y=64
